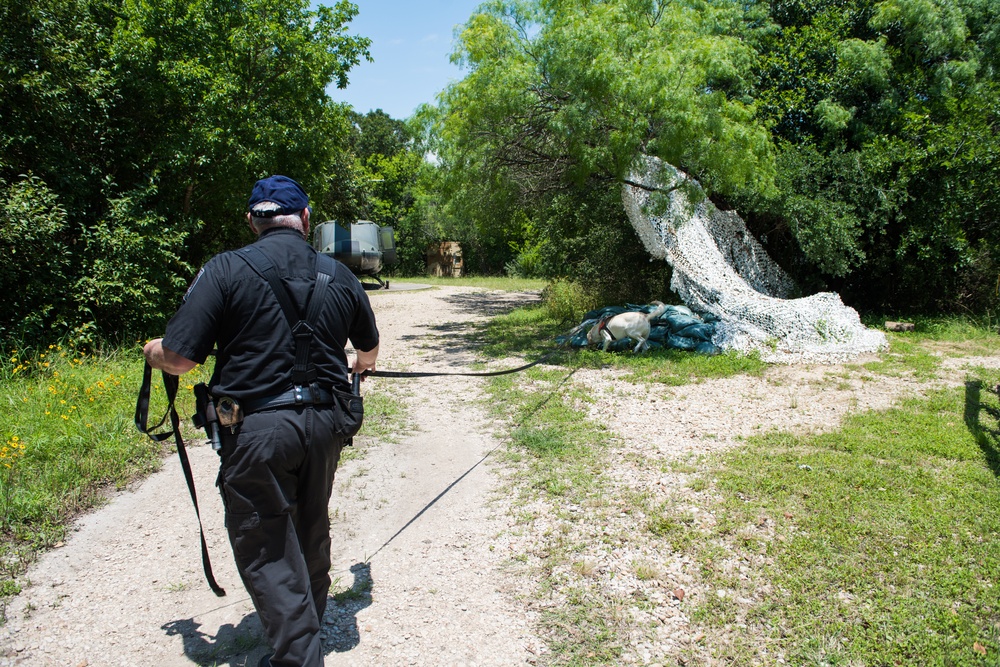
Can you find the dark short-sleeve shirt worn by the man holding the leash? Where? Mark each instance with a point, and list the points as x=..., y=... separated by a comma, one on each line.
x=231, y=307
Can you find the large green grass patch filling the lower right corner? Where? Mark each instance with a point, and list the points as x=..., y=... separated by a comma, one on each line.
x=878, y=544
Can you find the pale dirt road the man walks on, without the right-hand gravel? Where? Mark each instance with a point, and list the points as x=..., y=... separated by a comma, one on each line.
x=417, y=533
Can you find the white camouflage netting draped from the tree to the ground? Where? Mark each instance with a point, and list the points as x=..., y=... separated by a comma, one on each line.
x=721, y=271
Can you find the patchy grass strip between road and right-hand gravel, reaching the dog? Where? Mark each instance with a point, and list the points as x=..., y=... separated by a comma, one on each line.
x=560, y=455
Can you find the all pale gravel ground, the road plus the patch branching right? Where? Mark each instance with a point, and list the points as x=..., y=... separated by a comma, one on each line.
x=419, y=529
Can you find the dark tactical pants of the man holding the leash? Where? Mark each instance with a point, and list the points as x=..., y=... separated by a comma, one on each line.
x=276, y=479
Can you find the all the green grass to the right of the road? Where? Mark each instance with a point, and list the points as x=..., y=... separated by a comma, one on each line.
x=877, y=544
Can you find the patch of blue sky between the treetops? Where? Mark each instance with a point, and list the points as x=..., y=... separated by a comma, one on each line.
x=411, y=42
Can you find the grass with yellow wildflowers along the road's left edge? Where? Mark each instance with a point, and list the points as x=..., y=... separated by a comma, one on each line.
x=67, y=435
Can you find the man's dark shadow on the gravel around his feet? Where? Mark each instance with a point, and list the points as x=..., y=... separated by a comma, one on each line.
x=243, y=645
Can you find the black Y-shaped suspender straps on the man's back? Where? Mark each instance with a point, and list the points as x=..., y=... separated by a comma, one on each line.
x=303, y=372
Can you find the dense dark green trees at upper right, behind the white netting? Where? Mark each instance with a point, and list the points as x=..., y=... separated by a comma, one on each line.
x=885, y=118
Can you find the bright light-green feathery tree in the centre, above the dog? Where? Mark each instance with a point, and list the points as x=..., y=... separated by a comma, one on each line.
x=560, y=99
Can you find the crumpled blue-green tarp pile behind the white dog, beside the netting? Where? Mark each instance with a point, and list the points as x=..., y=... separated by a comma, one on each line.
x=677, y=328
